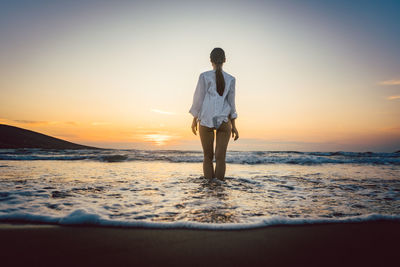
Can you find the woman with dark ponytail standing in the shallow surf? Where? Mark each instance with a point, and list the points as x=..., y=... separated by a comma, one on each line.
x=214, y=109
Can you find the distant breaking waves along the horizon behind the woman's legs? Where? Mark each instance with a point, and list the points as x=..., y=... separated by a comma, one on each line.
x=236, y=157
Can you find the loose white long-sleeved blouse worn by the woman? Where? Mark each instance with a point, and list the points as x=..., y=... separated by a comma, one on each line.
x=208, y=106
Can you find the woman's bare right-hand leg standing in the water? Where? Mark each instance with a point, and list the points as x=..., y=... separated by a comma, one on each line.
x=223, y=135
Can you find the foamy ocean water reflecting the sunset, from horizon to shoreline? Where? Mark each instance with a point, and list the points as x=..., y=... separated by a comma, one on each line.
x=165, y=188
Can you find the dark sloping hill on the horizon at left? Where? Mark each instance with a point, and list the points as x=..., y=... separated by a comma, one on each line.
x=15, y=137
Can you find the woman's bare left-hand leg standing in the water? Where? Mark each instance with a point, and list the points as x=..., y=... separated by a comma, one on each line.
x=207, y=141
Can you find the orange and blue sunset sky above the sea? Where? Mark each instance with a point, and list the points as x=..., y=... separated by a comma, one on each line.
x=310, y=75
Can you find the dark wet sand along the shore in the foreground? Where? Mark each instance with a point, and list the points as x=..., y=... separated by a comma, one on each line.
x=351, y=244
